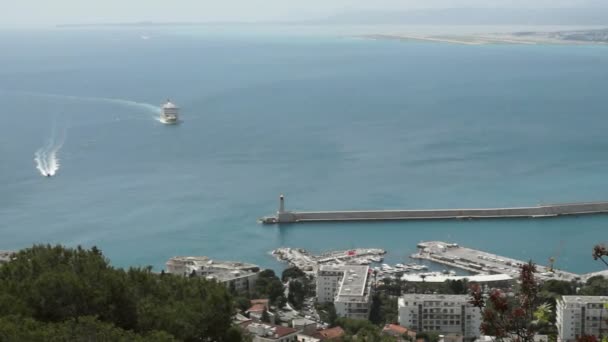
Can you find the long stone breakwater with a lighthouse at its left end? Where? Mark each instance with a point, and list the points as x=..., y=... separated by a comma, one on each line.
x=541, y=211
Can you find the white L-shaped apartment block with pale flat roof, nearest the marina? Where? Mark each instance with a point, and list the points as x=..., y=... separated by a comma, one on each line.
x=348, y=287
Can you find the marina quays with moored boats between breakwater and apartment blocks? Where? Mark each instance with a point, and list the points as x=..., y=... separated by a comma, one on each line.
x=474, y=265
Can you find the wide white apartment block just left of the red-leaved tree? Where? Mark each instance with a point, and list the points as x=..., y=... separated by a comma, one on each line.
x=444, y=314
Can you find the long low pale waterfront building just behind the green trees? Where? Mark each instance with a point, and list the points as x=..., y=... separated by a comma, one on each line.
x=237, y=276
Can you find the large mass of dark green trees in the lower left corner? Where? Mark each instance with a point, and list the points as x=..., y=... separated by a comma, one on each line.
x=48, y=285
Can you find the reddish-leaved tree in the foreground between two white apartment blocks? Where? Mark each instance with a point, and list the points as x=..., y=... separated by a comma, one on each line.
x=516, y=318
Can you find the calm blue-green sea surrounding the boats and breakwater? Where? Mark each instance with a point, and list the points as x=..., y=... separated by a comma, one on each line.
x=332, y=122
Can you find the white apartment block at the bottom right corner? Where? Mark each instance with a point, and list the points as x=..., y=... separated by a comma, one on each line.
x=581, y=315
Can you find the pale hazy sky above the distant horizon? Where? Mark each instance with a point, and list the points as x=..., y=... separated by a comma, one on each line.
x=50, y=12
